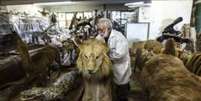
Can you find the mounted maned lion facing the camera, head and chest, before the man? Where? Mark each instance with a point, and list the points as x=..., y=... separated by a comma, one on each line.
x=95, y=66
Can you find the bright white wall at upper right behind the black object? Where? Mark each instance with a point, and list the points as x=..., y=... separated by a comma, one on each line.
x=163, y=12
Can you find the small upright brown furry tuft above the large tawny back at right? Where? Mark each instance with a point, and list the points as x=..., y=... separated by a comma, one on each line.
x=170, y=47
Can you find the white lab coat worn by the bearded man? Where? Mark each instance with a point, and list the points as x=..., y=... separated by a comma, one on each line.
x=119, y=54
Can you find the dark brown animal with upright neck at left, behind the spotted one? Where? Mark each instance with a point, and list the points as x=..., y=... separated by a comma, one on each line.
x=37, y=66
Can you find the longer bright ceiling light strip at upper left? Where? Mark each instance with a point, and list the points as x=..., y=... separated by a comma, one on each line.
x=55, y=3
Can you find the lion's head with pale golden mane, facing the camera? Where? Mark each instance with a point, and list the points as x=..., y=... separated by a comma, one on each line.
x=93, y=60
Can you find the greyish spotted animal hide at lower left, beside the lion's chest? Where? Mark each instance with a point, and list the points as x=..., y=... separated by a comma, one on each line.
x=53, y=92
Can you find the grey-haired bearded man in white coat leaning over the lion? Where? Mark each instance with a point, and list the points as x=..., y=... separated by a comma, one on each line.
x=119, y=54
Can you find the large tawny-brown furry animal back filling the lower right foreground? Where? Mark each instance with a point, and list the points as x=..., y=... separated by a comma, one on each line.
x=165, y=78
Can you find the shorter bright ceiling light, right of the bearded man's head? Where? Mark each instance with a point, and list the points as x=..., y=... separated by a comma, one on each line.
x=137, y=4
